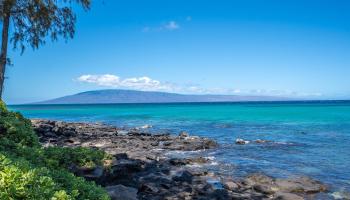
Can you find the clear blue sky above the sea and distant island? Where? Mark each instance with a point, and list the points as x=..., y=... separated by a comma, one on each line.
x=293, y=48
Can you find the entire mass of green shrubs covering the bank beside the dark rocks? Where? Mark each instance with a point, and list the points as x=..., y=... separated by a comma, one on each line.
x=29, y=171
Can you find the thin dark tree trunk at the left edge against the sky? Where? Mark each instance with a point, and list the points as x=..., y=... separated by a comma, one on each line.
x=3, y=54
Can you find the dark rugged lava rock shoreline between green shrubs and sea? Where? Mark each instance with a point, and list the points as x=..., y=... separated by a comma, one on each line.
x=142, y=169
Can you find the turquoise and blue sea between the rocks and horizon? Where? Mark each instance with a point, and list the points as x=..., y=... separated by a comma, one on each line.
x=309, y=138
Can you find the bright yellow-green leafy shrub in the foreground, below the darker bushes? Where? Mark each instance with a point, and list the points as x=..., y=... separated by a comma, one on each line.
x=19, y=179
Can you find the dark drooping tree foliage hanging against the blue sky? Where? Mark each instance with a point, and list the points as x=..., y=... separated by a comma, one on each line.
x=35, y=21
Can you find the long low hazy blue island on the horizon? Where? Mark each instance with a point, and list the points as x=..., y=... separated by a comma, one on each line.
x=133, y=96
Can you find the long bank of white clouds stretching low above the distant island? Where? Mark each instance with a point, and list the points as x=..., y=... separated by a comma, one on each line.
x=145, y=83
